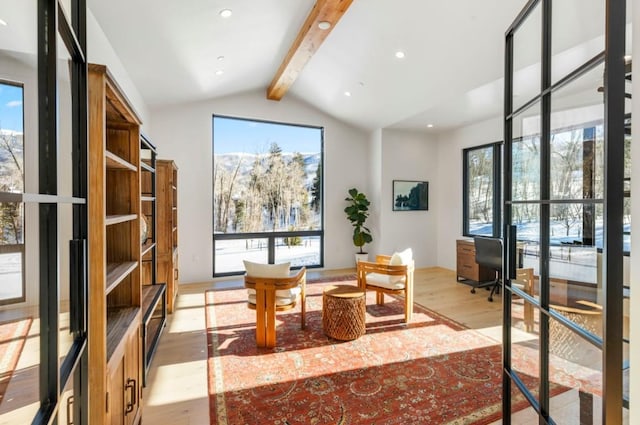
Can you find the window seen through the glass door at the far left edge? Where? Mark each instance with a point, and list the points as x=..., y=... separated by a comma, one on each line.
x=12, y=288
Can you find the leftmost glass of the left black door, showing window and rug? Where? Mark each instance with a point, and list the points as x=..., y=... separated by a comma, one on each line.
x=19, y=284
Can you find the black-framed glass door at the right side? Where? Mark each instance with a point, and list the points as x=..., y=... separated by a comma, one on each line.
x=564, y=187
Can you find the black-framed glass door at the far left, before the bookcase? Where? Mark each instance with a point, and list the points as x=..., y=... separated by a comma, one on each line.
x=43, y=219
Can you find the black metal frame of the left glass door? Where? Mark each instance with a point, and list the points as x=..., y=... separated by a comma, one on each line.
x=73, y=371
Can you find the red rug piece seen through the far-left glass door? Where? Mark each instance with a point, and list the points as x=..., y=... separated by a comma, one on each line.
x=12, y=338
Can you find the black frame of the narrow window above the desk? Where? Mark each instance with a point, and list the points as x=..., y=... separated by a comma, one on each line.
x=496, y=189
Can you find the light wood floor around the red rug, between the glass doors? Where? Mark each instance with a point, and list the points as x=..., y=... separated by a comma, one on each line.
x=176, y=392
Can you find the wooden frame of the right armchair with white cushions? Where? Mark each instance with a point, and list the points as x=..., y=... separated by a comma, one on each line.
x=382, y=266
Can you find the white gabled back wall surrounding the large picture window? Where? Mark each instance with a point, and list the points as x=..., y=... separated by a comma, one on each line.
x=184, y=133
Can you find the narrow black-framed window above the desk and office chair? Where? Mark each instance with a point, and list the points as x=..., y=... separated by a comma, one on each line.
x=481, y=190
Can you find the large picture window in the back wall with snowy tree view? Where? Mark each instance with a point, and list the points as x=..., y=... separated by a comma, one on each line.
x=267, y=194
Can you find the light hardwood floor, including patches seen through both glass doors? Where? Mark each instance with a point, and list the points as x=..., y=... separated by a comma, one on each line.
x=176, y=391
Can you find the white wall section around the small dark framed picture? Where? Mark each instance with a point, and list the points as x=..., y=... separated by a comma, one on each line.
x=408, y=155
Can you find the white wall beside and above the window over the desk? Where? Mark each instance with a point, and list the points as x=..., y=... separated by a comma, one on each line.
x=448, y=200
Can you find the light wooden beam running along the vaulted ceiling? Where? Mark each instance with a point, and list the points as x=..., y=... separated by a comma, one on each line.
x=307, y=42
